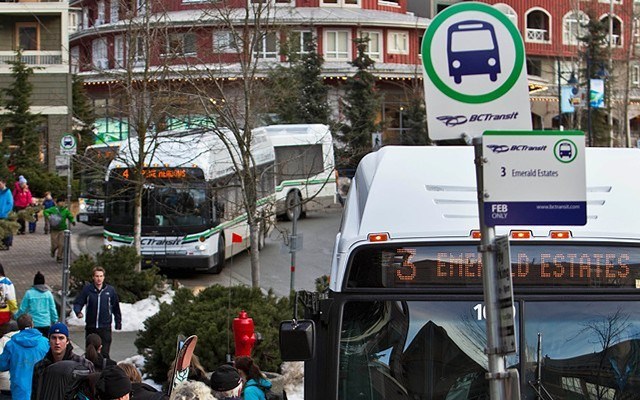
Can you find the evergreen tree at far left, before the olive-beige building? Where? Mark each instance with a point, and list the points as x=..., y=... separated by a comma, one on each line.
x=19, y=121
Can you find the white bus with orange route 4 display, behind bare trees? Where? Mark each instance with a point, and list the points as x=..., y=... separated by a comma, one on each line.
x=192, y=205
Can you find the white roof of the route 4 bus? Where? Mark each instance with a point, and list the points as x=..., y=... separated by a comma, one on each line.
x=194, y=148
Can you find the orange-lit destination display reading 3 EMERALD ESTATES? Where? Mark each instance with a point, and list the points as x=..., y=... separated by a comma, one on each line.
x=538, y=265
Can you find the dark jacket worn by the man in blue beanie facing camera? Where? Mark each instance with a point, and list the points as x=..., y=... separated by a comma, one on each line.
x=48, y=382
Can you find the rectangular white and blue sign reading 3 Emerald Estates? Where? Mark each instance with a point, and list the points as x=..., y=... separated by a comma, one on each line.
x=534, y=178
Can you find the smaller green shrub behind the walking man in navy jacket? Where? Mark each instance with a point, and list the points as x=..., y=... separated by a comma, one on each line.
x=120, y=266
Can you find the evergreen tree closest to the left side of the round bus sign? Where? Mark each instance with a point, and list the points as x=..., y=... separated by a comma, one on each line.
x=361, y=105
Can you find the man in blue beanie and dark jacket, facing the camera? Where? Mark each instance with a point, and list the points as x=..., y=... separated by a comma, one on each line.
x=60, y=349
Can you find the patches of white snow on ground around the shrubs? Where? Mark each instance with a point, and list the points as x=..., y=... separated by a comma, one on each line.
x=138, y=312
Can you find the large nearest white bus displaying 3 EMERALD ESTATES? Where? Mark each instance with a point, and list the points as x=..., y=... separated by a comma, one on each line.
x=404, y=316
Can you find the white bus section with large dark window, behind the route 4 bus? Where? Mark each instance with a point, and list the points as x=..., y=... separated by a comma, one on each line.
x=304, y=167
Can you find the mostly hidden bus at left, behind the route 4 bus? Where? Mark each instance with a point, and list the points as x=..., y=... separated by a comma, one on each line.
x=93, y=167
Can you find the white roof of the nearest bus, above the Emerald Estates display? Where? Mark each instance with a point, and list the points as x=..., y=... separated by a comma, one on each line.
x=430, y=192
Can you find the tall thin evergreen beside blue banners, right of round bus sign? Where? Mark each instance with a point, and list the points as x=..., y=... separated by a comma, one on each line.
x=595, y=58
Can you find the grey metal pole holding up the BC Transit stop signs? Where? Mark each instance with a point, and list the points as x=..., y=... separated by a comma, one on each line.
x=497, y=374
